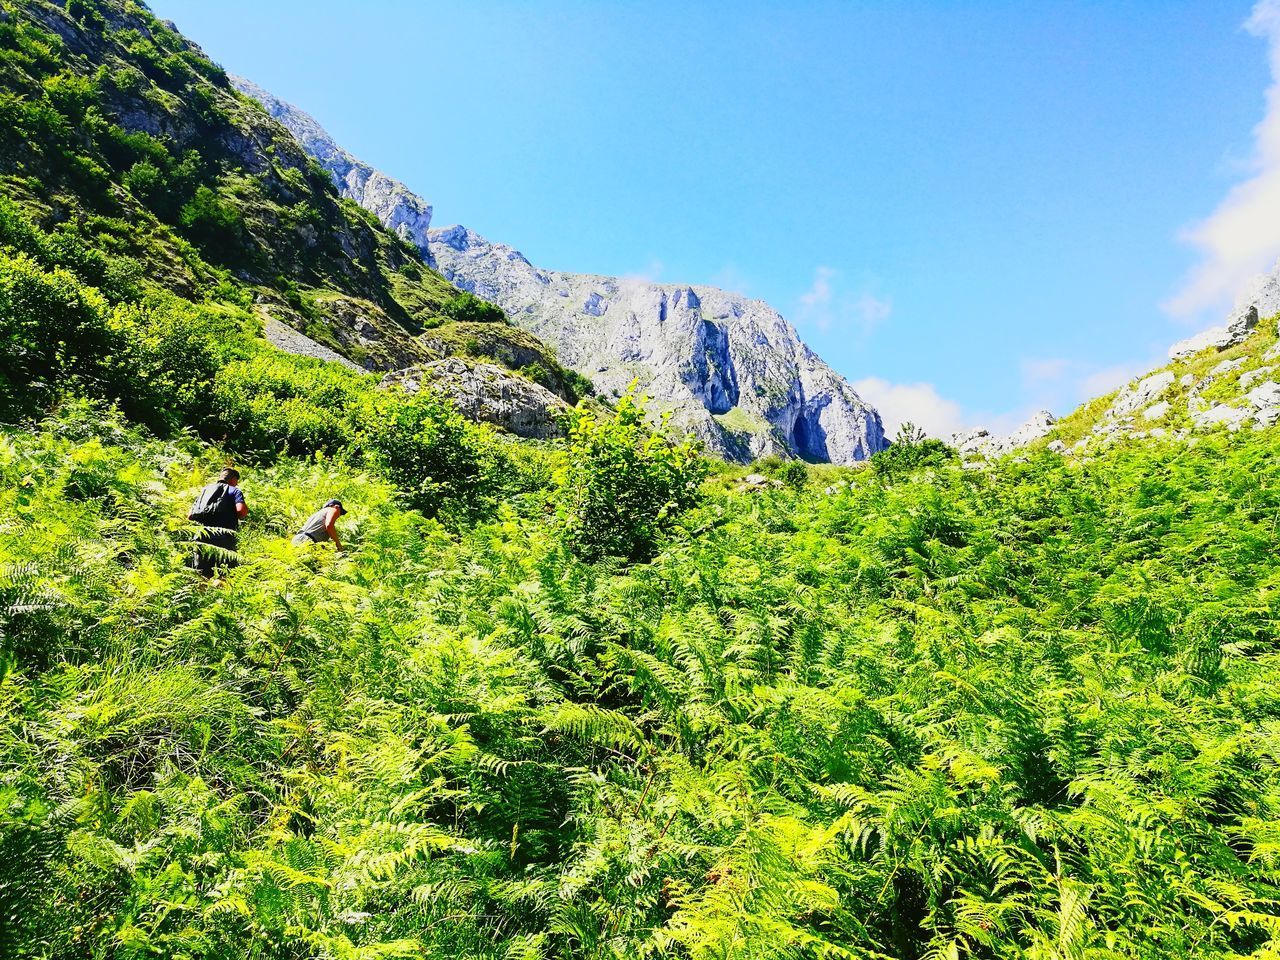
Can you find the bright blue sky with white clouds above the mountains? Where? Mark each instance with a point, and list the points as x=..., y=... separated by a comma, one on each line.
x=970, y=209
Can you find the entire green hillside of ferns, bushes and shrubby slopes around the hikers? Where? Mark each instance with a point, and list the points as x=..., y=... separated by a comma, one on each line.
x=593, y=698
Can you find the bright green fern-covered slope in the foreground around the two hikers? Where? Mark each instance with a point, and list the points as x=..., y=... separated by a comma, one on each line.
x=949, y=712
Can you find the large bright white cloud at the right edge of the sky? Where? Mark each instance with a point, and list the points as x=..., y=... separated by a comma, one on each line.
x=1242, y=239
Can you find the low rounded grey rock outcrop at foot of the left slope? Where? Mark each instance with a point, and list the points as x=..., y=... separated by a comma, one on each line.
x=490, y=395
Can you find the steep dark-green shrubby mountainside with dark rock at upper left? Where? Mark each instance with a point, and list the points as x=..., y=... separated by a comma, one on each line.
x=112, y=126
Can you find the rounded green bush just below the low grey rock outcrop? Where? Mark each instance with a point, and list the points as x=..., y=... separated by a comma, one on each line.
x=431, y=452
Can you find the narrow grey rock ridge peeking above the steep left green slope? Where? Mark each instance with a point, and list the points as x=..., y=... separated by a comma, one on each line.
x=391, y=202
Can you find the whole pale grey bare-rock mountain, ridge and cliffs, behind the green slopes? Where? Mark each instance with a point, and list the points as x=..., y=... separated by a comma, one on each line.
x=729, y=368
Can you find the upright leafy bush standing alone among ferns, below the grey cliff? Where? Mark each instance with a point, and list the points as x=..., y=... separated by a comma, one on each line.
x=623, y=486
